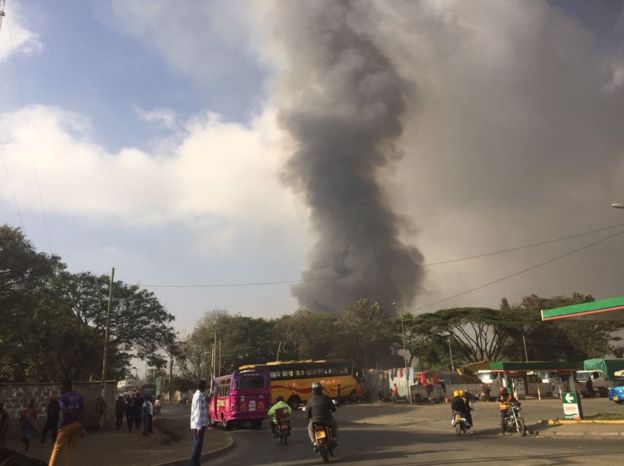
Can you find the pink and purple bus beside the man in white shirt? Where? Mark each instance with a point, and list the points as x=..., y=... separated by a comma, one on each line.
x=244, y=396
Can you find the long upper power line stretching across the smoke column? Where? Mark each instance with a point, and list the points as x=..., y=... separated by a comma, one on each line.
x=431, y=264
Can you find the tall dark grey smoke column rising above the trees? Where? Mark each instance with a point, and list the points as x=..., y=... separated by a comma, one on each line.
x=344, y=108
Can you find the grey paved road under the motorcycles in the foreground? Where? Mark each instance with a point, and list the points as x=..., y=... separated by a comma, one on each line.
x=379, y=444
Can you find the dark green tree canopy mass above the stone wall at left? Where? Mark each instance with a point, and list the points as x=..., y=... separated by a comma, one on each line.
x=55, y=320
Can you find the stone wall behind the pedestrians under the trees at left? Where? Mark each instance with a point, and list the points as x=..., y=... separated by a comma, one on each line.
x=16, y=396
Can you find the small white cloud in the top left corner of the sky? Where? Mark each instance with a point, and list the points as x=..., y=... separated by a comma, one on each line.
x=15, y=37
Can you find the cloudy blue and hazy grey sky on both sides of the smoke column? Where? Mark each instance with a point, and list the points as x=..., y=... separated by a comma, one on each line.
x=151, y=128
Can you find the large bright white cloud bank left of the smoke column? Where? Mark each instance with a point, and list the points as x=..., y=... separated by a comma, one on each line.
x=218, y=177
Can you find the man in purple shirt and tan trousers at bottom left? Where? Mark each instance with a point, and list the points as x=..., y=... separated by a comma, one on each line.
x=72, y=425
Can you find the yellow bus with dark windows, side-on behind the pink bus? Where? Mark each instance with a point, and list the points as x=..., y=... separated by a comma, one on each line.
x=293, y=380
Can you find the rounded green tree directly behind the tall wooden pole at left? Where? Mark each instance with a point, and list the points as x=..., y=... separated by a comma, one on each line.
x=139, y=324
